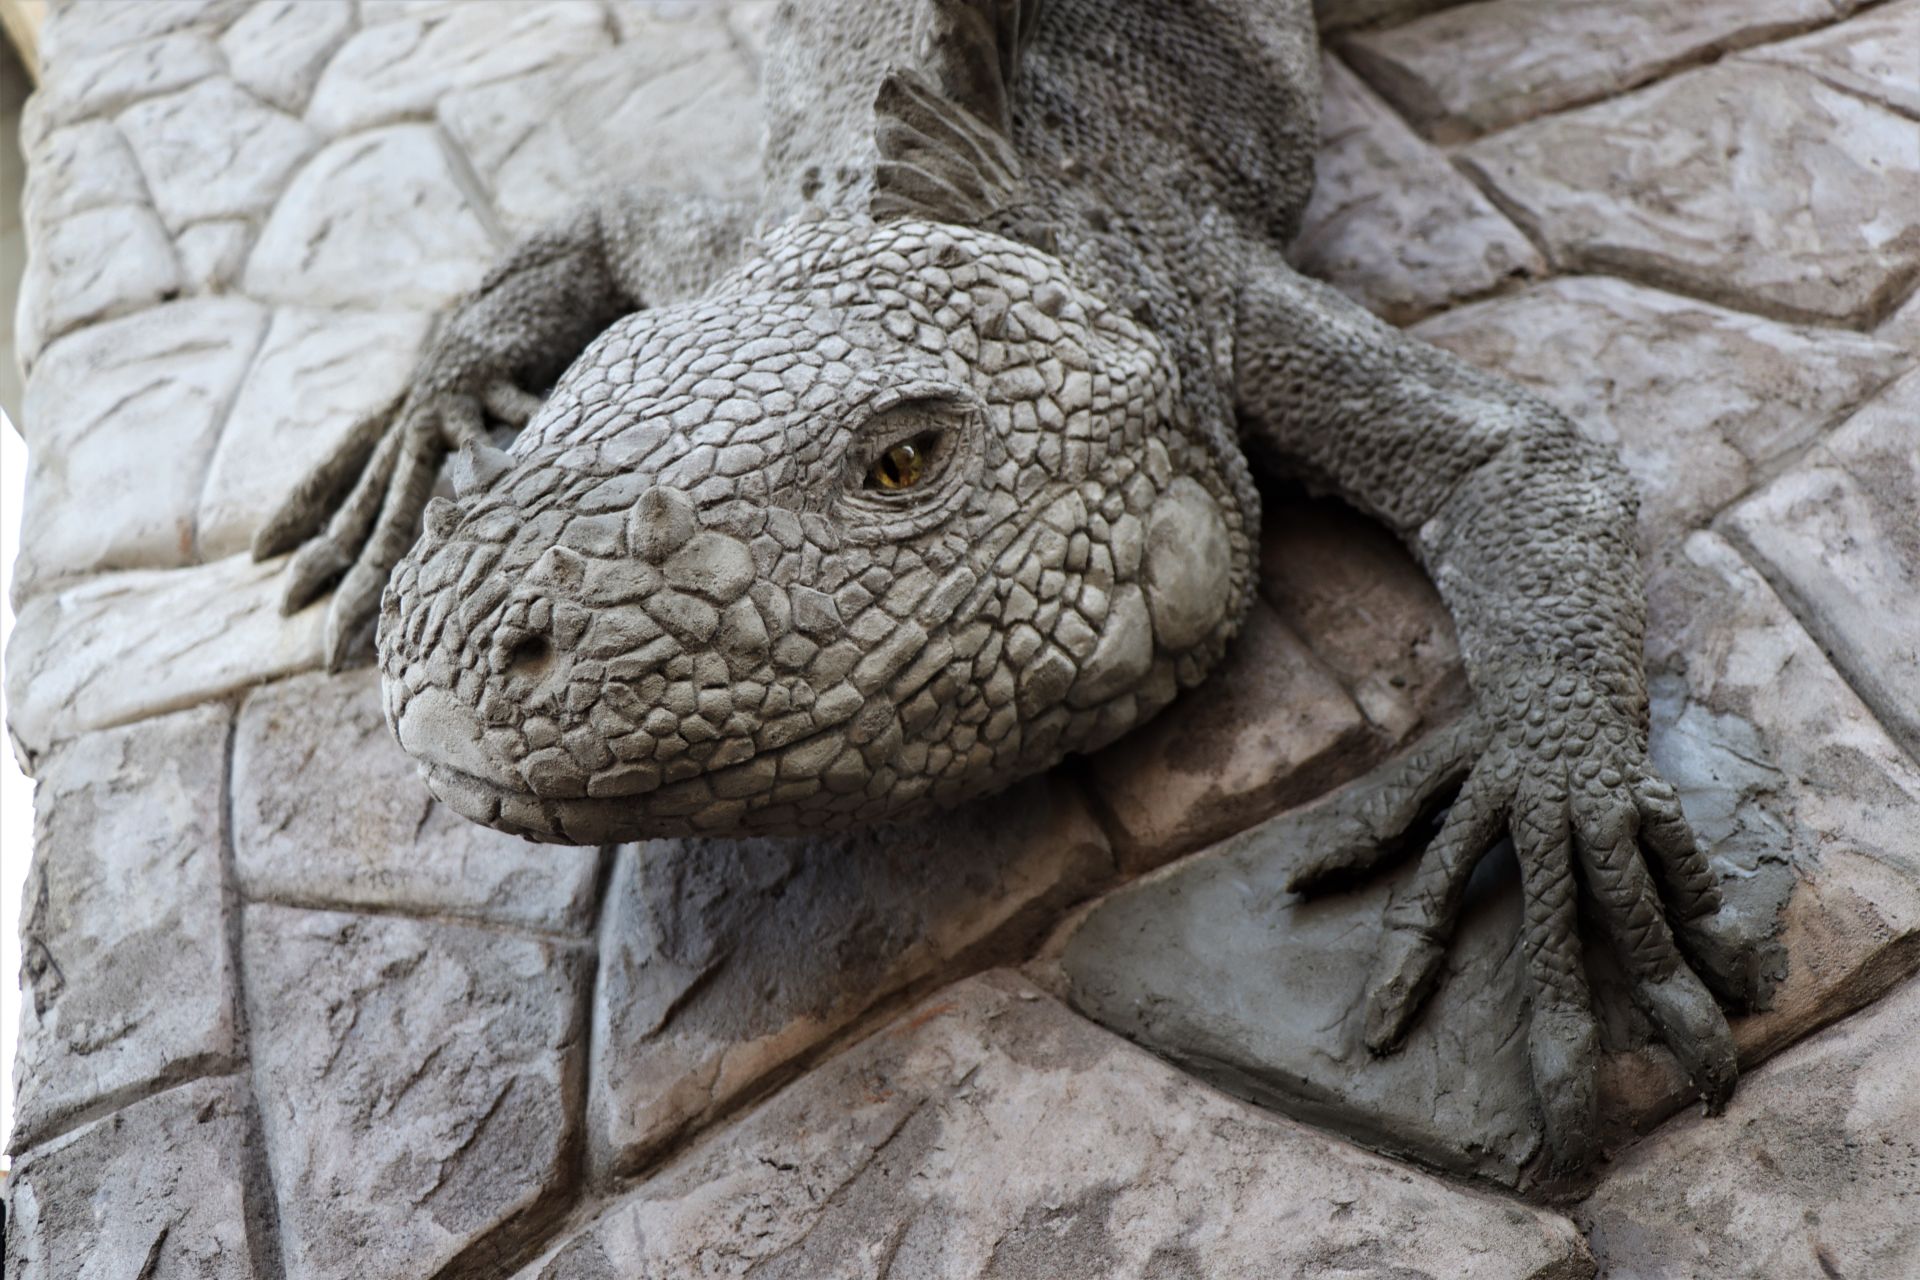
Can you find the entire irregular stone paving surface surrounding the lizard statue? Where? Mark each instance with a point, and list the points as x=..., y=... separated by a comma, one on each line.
x=289, y=1018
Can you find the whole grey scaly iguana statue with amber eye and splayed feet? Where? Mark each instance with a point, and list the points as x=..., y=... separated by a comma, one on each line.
x=934, y=467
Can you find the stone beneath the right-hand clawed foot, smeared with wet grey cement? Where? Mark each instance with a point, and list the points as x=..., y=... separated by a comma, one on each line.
x=1796, y=794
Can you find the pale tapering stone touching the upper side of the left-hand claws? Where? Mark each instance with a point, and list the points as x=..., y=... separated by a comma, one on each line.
x=318, y=373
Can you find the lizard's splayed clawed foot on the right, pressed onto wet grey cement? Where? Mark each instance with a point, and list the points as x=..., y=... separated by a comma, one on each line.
x=1589, y=818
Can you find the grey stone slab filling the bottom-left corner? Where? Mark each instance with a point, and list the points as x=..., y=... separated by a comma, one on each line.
x=170, y=1187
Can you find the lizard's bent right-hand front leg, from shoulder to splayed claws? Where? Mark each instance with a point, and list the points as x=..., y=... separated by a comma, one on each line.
x=1529, y=531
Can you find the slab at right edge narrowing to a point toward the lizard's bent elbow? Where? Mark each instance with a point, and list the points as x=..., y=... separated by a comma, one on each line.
x=1840, y=536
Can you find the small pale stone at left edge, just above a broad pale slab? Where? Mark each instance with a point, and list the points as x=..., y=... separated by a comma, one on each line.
x=91, y=268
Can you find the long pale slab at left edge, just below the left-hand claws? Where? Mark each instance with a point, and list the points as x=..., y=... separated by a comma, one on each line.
x=128, y=646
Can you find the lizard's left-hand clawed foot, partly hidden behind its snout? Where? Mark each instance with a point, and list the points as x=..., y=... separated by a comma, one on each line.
x=370, y=496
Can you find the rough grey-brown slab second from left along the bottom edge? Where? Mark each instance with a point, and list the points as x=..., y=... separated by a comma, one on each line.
x=420, y=1087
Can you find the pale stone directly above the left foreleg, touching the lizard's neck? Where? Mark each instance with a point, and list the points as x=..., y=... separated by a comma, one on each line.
x=627, y=116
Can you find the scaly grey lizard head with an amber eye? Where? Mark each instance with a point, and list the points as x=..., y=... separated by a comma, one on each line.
x=890, y=519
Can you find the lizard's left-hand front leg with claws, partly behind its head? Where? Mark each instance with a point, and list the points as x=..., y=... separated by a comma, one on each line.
x=358, y=511
